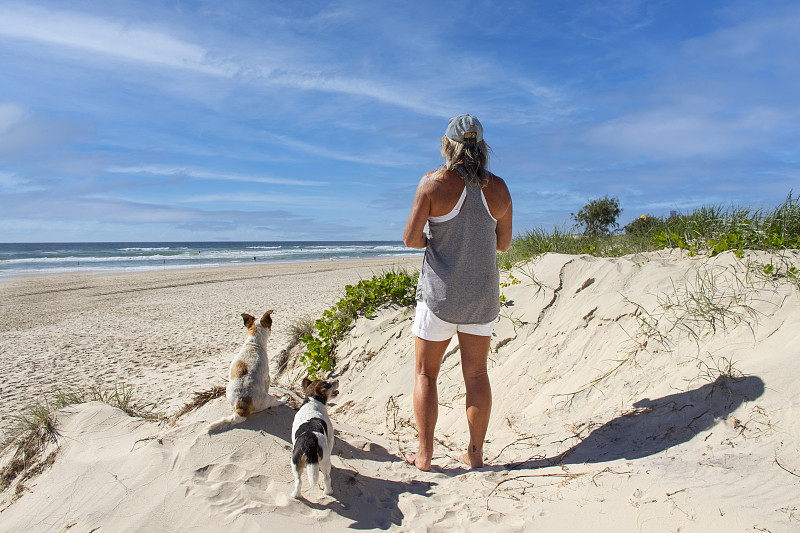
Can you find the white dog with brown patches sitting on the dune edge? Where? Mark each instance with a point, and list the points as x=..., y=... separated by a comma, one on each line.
x=248, y=387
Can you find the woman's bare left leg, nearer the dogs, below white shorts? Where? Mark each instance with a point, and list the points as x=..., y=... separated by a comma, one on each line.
x=428, y=356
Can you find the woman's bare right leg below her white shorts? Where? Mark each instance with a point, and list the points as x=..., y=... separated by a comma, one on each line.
x=474, y=353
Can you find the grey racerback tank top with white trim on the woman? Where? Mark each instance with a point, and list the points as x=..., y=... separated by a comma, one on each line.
x=459, y=281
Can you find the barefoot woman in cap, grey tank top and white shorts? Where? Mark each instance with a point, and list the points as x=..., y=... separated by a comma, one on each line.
x=468, y=213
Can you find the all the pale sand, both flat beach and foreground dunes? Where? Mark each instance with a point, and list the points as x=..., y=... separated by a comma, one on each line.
x=653, y=392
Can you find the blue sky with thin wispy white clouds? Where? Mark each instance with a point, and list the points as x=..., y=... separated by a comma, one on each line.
x=262, y=120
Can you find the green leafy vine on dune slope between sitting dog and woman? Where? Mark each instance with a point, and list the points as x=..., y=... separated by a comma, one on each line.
x=361, y=299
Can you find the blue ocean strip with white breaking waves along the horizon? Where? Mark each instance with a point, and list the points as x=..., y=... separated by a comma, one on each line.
x=105, y=257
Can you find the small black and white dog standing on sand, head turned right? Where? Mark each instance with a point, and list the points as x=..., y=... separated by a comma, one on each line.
x=312, y=435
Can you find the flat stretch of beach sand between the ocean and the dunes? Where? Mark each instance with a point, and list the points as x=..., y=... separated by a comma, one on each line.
x=164, y=333
